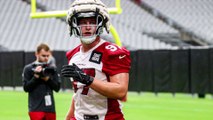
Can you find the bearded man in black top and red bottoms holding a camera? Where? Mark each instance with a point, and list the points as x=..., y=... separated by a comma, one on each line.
x=39, y=80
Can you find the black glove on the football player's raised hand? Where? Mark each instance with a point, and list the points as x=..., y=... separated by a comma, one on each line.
x=76, y=73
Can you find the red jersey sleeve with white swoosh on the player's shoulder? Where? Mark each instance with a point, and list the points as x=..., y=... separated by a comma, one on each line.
x=117, y=61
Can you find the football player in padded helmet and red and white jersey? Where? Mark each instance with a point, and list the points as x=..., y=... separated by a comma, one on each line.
x=99, y=70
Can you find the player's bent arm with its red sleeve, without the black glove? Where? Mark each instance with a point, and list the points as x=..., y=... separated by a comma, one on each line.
x=117, y=65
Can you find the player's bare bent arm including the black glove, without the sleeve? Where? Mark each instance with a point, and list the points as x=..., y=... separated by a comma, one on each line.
x=116, y=88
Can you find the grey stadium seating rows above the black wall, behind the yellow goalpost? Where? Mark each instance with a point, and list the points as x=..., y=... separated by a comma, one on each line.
x=163, y=24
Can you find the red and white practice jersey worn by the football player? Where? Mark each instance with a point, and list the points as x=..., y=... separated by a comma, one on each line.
x=103, y=60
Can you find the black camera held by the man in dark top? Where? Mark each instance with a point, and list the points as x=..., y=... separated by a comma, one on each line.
x=47, y=70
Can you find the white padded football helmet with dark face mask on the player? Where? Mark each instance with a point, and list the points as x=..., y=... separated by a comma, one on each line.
x=81, y=9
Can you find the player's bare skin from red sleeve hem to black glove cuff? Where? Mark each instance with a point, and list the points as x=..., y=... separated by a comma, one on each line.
x=117, y=87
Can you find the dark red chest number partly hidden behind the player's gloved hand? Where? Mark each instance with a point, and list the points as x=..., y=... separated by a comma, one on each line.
x=88, y=71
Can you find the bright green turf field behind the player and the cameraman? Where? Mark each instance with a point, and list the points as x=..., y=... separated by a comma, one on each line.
x=146, y=106
